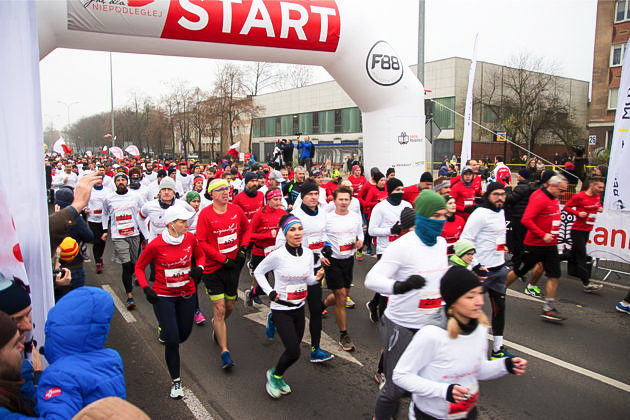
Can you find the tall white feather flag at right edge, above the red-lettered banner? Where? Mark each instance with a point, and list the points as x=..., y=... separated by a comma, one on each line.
x=618, y=183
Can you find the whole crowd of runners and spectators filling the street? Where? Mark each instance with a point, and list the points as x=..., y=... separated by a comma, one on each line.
x=439, y=244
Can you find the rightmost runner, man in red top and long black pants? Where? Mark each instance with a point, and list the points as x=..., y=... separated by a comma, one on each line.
x=584, y=206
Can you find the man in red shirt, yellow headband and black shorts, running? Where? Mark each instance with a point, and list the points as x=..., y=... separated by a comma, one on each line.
x=223, y=232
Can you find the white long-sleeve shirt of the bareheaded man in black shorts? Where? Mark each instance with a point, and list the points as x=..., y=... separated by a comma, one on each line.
x=342, y=232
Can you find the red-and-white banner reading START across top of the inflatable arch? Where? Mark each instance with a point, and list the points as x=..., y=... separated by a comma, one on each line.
x=294, y=24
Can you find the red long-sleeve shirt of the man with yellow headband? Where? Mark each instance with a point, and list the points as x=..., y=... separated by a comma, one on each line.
x=221, y=235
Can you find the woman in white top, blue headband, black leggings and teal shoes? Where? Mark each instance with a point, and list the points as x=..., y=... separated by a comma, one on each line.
x=292, y=267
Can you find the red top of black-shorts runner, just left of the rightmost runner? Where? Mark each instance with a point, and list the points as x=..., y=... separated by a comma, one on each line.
x=542, y=216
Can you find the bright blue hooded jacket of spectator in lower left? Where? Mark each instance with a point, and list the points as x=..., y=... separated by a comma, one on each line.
x=81, y=371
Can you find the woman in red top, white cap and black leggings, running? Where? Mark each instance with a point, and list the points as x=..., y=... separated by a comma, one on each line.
x=173, y=291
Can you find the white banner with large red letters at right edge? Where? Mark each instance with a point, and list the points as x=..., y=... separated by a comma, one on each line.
x=610, y=238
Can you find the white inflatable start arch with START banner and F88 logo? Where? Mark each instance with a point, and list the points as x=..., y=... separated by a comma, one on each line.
x=346, y=37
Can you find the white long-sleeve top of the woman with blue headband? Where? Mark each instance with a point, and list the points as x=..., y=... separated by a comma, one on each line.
x=292, y=274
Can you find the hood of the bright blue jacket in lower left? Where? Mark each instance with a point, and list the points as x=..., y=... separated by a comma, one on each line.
x=78, y=323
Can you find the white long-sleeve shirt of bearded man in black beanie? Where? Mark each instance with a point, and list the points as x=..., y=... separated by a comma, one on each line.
x=486, y=229
